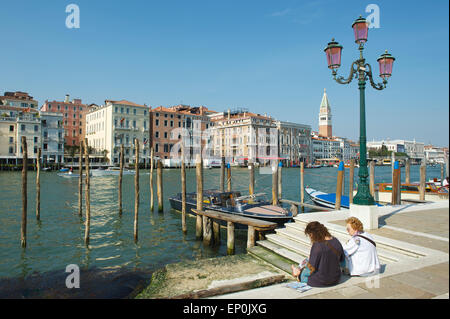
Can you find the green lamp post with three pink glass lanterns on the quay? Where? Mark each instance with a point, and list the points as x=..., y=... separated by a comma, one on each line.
x=362, y=71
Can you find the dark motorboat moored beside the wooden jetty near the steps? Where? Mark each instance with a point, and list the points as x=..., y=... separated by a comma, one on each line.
x=252, y=206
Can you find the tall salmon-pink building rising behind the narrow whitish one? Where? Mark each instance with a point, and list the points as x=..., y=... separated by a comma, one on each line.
x=74, y=118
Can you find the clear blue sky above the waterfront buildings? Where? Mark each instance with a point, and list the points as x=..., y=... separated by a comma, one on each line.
x=266, y=56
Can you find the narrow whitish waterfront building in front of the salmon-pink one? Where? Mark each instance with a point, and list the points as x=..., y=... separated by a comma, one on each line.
x=52, y=137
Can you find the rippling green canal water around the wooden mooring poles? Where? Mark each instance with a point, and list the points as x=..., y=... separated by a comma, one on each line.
x=57, y=240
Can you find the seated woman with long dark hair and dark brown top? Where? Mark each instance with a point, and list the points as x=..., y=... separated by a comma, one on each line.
x=323, y=267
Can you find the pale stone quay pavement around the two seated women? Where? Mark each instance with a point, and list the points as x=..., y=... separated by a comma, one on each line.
x=420, y=229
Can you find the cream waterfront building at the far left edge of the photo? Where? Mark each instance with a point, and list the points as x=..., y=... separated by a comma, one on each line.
x=18, y=117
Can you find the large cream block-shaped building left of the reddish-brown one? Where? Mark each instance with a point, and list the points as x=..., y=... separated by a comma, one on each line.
x=116, y=123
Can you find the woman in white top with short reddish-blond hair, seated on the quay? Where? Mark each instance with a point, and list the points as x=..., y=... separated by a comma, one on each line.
x=360, y=251
